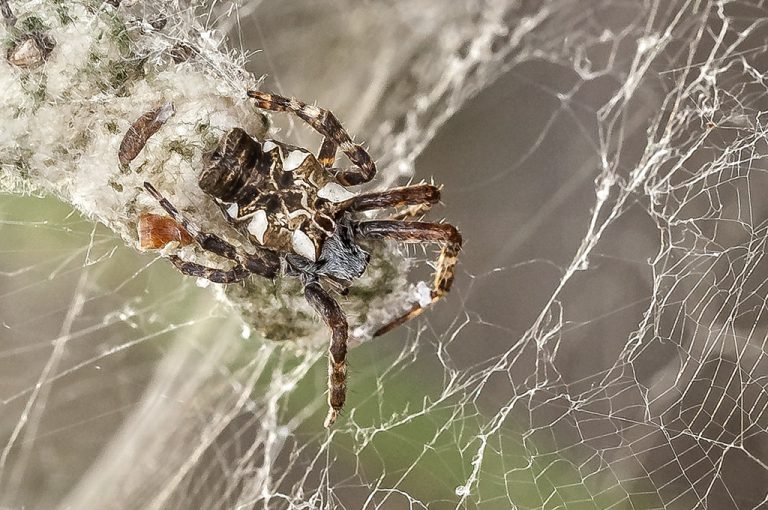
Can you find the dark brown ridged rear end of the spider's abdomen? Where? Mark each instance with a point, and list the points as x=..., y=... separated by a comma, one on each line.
x=230, y=167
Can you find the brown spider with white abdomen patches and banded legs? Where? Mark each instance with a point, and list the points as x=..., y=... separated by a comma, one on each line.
x=300, y=218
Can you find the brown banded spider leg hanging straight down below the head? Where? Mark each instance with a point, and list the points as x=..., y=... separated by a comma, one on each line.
x=334, y=318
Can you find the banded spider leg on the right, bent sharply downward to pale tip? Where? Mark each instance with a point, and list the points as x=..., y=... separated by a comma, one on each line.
x=417, y=232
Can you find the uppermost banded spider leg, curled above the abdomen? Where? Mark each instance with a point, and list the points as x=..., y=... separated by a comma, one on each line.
x=325, y=123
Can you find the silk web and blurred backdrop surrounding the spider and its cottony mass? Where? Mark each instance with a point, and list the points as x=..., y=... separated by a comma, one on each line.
x=604, y=346
